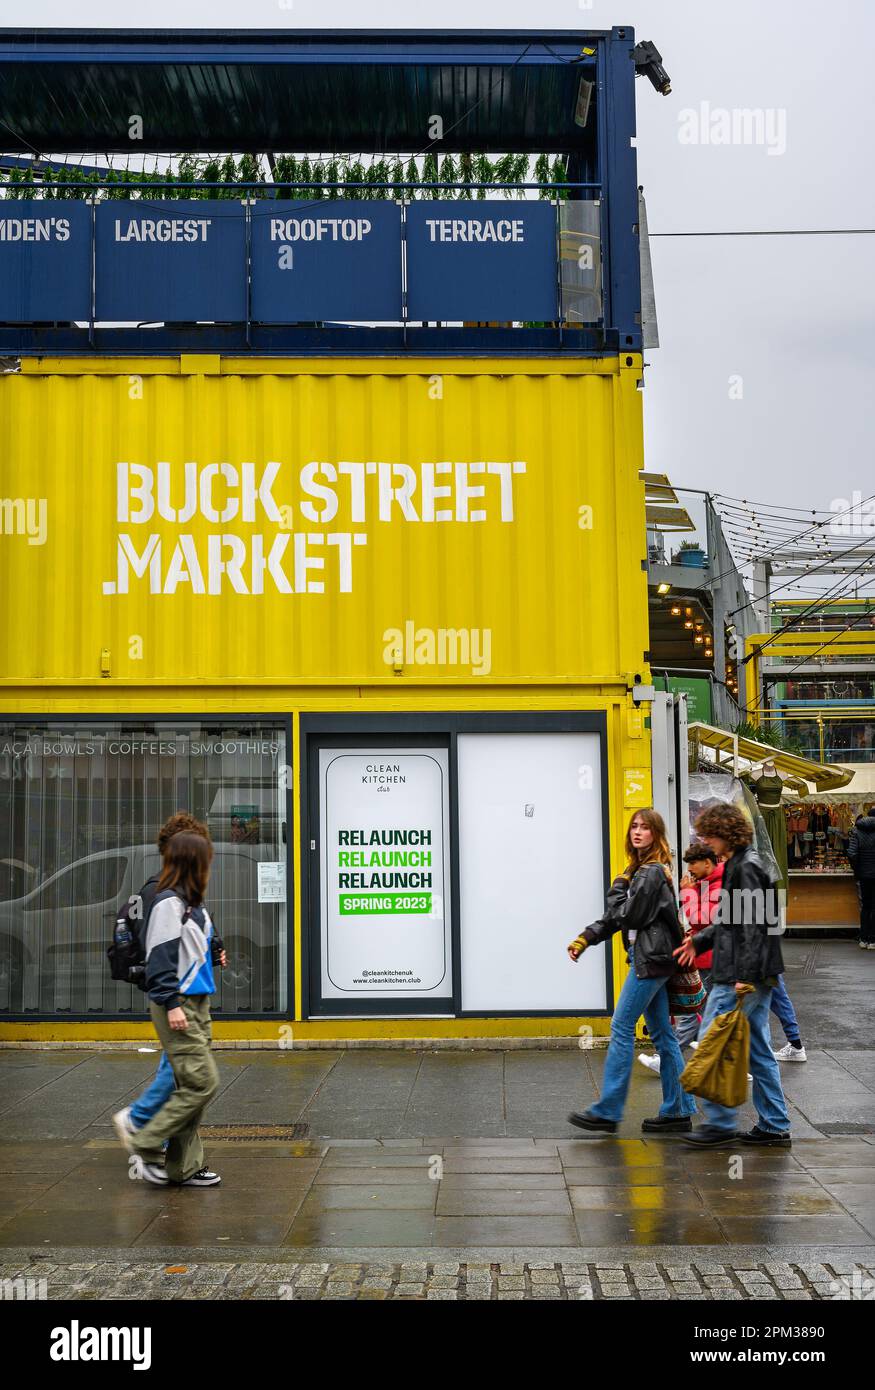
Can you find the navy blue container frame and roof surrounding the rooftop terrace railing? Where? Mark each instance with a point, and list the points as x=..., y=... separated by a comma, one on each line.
x=567, y=94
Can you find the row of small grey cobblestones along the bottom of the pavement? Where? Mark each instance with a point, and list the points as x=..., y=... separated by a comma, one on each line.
x=501, y=1281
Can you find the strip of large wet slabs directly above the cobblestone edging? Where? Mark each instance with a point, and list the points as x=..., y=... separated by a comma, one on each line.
x=447, y=1195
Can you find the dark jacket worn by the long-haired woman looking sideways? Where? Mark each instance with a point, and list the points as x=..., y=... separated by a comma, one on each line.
x=648, y=910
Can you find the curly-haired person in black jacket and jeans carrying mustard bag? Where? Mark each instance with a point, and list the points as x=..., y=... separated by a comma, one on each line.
x=745, y=938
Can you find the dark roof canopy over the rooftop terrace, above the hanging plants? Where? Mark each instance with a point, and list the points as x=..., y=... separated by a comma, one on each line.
x=252, y=92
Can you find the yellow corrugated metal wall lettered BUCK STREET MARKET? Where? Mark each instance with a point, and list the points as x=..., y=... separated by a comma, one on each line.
x=561, y=594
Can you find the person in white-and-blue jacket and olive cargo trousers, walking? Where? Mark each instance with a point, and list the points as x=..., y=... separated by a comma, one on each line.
x=180, y=983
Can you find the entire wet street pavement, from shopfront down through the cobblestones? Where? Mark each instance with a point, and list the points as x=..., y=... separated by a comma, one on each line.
x=450, y=1175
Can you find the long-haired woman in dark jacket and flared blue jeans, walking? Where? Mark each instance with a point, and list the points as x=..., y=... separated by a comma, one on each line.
x=642, y=906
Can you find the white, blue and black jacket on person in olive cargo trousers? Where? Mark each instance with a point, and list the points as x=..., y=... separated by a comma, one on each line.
x=179, y=957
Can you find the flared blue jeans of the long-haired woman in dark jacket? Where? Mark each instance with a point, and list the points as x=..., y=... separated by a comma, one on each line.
x=649, y=999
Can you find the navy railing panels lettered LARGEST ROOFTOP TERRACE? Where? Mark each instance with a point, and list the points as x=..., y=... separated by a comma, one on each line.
x=99, y=268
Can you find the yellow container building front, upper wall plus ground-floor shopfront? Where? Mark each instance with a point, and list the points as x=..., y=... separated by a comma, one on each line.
x=225, y=578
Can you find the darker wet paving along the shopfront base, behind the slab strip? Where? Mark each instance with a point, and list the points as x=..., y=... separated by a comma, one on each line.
x=418, y=1092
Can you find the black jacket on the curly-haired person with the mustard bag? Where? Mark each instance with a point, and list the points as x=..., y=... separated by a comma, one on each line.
x=746, y=932
